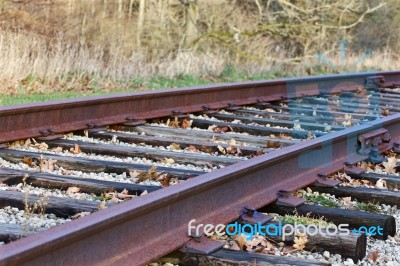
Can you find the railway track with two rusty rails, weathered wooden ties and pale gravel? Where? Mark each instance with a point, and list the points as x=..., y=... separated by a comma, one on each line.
x=143, y=165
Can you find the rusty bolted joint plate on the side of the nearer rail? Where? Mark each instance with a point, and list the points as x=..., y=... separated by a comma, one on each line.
x=370, y=143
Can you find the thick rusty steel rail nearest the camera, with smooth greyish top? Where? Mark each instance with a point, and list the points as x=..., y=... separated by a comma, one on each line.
x=140, y=230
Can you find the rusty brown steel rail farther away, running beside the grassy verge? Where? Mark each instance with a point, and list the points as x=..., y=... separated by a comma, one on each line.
x=43, y=119
